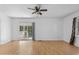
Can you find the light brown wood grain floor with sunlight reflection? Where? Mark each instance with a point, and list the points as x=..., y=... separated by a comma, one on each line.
x=38, y=48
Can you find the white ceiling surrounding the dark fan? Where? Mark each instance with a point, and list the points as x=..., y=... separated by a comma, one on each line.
x=54, y=10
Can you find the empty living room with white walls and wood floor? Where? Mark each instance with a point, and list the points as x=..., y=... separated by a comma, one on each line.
x=33, y=25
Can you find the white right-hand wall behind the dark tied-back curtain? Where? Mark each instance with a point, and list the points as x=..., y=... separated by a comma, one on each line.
x=68, y=28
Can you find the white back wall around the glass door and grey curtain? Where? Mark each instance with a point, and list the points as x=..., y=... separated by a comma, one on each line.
x=45, y=28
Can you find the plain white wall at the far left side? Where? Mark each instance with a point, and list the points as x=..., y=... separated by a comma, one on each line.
x=5, y=29
